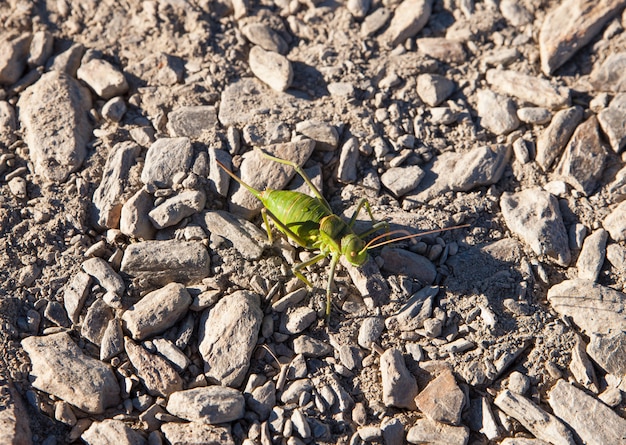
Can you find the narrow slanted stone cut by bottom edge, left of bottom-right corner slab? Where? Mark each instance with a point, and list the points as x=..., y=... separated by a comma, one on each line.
x=541, y=424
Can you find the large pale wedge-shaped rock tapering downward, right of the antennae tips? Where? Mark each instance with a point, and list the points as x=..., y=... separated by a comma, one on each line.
x=535, y=216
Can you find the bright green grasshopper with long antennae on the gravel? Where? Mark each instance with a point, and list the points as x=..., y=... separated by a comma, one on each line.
x=310, y=222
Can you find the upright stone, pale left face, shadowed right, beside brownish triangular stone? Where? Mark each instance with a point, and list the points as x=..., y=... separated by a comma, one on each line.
x=399, y=385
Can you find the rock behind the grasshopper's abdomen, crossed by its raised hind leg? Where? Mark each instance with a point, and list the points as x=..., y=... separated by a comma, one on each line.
x=262, y=173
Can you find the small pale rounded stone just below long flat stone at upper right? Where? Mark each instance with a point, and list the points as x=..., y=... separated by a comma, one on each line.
x=498, y=113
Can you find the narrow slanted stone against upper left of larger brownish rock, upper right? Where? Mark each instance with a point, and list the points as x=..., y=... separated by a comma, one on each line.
x=553, y=139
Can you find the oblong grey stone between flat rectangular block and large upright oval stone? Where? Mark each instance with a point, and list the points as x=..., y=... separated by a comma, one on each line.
x=157, y=311
